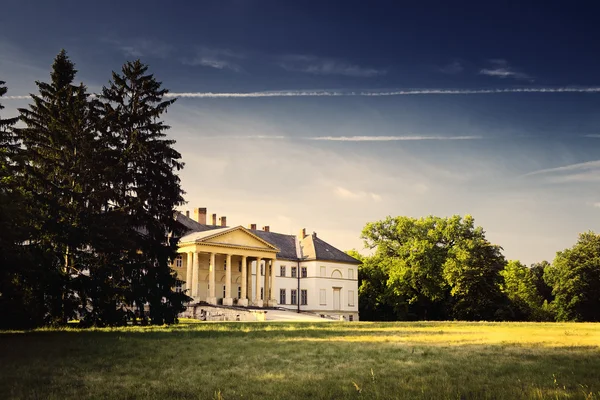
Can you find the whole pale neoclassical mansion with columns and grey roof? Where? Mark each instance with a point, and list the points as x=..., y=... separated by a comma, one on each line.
x=258, y=268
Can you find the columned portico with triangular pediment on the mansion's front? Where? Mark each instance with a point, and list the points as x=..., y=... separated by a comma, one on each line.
x=228, y=266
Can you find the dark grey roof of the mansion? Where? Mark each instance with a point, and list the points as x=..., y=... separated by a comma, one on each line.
x=312, y=247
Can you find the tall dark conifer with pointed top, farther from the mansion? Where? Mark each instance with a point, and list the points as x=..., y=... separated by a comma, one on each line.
x=56, y=171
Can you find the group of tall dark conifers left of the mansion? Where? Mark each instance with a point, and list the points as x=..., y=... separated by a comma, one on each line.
x=87, y=195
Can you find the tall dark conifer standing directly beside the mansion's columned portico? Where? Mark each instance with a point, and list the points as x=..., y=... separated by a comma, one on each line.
x=145, y=188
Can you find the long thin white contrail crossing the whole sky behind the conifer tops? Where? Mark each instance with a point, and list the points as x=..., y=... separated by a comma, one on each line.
x=344, y=93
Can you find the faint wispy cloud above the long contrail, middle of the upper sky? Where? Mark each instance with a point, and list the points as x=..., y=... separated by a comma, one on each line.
x=327, y=66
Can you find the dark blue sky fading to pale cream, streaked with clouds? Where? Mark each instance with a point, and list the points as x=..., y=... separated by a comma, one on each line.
x=326, y=115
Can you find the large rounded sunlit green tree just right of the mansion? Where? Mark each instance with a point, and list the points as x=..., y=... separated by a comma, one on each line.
x=442, y=267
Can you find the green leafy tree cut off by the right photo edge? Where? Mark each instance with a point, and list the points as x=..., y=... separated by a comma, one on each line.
x=575, y=280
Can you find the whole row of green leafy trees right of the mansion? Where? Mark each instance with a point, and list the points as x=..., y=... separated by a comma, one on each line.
x=445, y=269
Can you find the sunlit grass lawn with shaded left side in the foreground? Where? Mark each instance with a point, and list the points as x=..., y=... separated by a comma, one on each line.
x=305, y=360
